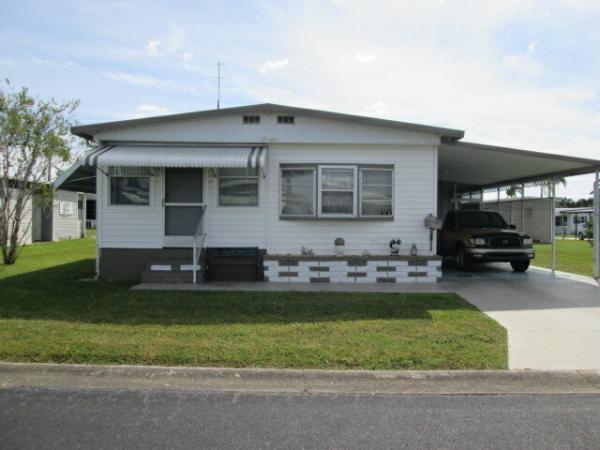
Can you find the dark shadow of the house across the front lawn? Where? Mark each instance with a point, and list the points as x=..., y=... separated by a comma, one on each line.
x=56, y=294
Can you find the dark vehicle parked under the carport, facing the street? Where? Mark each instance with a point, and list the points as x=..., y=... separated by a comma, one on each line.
x=484, y=236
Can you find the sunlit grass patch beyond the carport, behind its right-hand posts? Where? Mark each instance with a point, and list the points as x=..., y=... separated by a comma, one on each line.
x=571, y=256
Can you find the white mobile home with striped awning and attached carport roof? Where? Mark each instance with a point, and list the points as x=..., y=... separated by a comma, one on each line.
x=276, y=193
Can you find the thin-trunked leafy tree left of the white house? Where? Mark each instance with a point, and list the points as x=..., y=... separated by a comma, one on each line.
x=34, y=138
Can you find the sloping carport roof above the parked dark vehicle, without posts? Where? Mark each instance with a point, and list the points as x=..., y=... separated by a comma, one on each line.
x=488, y=166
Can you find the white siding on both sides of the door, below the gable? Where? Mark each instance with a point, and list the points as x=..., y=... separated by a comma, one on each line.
x=414, y=197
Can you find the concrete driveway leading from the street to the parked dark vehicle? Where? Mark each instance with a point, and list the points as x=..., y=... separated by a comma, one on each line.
x=553, y=321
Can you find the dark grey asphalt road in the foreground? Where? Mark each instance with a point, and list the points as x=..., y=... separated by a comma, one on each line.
x=104, y=418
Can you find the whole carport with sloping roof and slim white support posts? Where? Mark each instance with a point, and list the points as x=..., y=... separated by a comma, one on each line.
x=467, y=170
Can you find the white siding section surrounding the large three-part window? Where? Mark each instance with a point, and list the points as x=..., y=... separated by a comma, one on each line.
x=414, y=197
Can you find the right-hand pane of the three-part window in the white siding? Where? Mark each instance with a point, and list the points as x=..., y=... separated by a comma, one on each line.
x=376, y=192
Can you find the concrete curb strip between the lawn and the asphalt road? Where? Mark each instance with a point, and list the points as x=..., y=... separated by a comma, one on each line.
x=439, y=382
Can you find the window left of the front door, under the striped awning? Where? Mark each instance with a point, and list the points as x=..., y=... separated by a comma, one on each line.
x=129, y=186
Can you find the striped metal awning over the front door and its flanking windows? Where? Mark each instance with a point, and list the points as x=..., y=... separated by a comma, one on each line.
x=176, y=156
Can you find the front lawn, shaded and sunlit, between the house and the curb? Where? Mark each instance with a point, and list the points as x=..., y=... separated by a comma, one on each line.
x=46, y=315
